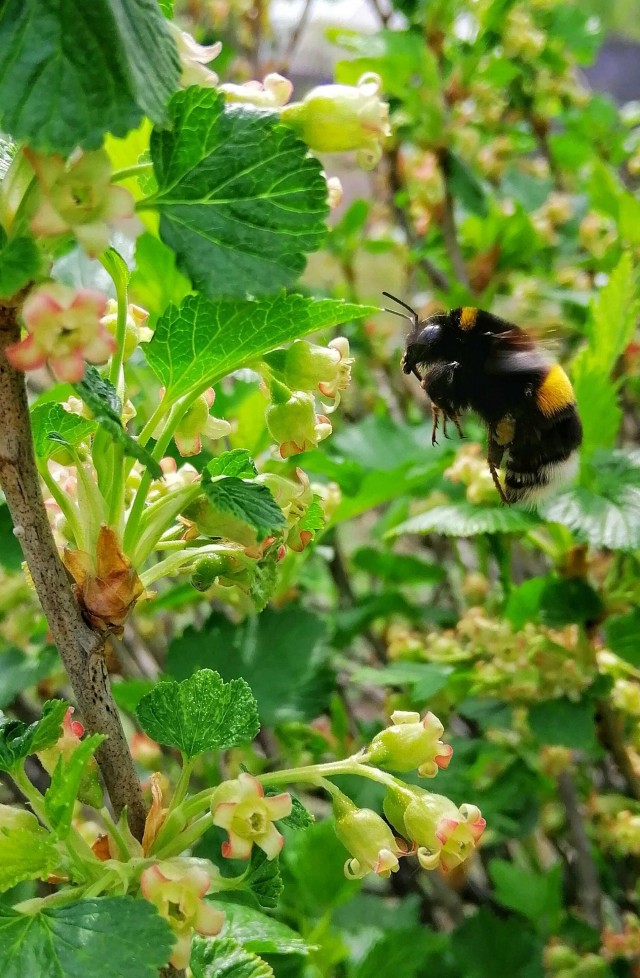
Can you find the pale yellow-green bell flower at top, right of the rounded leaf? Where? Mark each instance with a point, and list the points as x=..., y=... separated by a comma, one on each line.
x=339, y=118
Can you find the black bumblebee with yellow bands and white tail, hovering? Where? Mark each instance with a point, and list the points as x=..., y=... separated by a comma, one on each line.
x=470, y=359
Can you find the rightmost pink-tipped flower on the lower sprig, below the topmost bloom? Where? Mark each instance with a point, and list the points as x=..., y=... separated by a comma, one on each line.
x=444, y=835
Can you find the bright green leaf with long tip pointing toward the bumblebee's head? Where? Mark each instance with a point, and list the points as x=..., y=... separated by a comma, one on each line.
x=198, y=343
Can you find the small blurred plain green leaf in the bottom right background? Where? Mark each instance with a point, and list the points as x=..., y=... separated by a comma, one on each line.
x=534, y=895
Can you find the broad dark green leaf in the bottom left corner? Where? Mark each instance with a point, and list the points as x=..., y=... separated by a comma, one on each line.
x=112, y=937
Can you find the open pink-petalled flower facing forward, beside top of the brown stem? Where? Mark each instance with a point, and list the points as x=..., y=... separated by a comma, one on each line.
x=64, y=330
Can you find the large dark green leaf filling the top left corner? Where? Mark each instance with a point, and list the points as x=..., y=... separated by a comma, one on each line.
x=61, y=86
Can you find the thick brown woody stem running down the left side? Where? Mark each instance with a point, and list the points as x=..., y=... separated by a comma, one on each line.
x=81, y=649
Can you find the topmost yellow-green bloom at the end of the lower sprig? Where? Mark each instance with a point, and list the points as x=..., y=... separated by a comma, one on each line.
x=410, y=744
